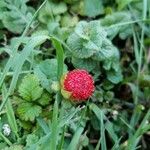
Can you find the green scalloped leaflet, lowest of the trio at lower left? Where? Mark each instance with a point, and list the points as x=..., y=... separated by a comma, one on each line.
x=28, y=111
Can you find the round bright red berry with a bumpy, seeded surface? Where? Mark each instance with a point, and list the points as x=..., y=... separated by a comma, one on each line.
x=79, y=83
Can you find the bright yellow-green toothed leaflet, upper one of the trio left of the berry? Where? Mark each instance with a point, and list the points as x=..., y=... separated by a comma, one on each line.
x=30, y=89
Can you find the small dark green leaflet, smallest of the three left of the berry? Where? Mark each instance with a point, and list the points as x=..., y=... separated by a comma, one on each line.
x=45, y=99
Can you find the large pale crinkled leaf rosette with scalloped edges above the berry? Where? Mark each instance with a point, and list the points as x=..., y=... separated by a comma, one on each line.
x=87, y=39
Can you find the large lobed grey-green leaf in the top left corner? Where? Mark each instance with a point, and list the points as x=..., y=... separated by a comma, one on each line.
x=16, y=15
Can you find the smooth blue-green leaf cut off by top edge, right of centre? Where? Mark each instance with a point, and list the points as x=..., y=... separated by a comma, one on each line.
x=93, y=8
